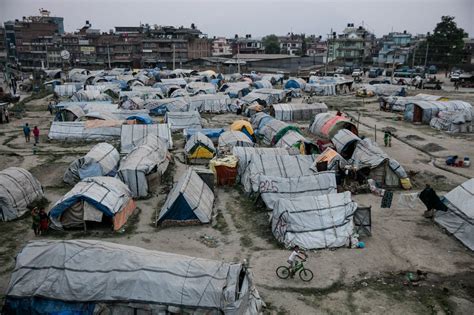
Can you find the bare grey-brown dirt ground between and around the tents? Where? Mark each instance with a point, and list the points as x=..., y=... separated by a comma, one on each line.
x=372, y=280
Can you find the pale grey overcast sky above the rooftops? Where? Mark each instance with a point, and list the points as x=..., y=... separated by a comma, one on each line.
x=256, y=17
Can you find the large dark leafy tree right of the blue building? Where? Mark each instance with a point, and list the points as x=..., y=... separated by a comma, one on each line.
x=446, y=45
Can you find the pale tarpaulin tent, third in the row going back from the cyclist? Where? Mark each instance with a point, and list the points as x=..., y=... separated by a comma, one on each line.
x=275, y=165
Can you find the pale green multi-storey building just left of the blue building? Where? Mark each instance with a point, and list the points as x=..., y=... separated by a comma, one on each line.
x=352, y=46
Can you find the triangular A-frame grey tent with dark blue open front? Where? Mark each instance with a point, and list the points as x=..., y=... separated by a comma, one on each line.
x=190, y=201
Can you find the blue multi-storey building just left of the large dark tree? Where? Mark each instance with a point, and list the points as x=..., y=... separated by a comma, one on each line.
x=395, y=49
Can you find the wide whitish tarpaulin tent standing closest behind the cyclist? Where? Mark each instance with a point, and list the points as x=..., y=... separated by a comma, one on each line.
x=313, y=222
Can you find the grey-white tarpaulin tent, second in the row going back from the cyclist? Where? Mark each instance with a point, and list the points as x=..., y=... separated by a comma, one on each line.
x=272, y=188
